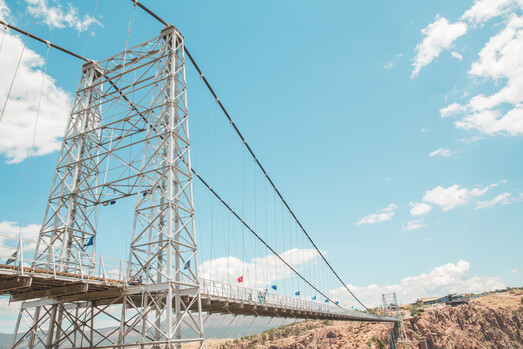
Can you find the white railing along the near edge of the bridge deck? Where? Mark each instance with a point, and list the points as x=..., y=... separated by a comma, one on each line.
x=18, y=256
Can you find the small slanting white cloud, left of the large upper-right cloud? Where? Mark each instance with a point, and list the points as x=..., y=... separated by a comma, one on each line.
x=439, y=36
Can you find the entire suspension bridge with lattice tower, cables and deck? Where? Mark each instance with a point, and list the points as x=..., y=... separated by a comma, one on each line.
x=127, y=138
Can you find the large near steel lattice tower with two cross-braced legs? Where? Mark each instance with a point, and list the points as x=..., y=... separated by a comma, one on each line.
x=127, y=135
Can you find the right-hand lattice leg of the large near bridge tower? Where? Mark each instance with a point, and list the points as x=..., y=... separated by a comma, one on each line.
x=163, y=245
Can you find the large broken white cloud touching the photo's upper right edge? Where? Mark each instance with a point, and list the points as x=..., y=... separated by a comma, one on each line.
x=499, y=61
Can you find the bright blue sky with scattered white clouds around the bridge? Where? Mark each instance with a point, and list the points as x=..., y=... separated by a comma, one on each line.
x=393, y=129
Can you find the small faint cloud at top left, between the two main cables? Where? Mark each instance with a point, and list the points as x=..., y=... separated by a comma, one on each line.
x=57, y=17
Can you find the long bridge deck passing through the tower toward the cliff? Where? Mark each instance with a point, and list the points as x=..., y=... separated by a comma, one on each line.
x=39, y=286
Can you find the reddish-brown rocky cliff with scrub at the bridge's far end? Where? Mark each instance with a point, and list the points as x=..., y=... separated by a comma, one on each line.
x=493, y=321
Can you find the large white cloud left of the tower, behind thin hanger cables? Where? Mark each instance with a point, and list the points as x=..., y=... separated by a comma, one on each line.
x=18, y=123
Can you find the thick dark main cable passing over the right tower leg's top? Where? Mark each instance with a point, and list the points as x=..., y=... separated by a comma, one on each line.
x=252, y=153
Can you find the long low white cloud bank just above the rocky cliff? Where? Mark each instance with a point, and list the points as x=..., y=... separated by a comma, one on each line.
x=442, y=280
